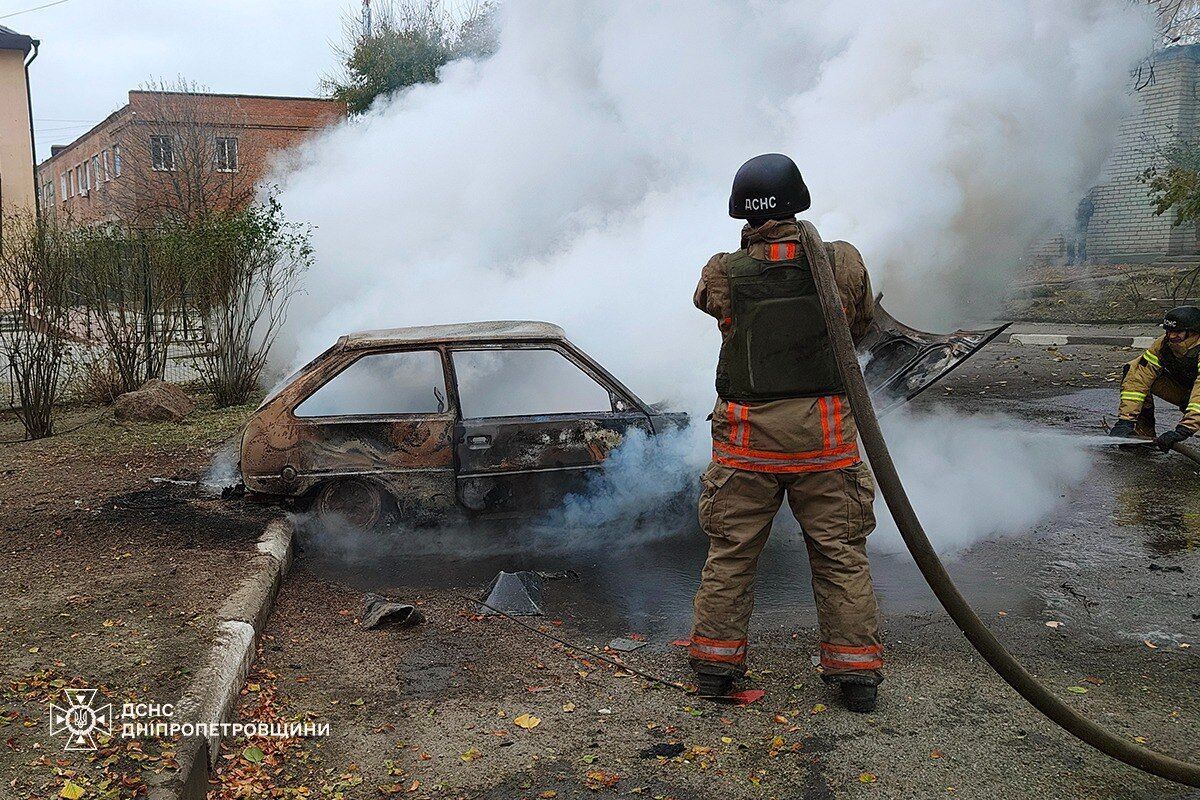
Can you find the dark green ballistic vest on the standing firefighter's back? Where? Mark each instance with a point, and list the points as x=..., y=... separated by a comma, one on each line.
x=778, y=345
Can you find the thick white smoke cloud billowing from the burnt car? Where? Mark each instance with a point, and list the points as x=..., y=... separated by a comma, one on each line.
x=581, y=176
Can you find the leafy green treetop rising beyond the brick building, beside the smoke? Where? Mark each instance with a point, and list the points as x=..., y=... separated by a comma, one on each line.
x=407, y=45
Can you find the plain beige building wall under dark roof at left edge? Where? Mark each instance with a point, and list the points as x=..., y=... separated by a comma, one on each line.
x=16, y=147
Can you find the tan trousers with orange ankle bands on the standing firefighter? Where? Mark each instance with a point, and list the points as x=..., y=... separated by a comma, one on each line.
x=835, y=510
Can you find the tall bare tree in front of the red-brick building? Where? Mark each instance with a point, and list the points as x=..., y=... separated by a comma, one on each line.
x=179, y=157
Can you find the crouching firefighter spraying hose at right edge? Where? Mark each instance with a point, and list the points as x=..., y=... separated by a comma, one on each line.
x=1167, y=370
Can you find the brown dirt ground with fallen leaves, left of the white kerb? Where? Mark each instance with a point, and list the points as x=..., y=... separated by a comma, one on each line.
x=111, y=582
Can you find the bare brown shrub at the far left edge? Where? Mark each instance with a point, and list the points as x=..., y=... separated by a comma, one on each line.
x=35, y=275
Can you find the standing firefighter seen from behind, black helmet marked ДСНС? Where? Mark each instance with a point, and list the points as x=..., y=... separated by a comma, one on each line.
x=783, y=428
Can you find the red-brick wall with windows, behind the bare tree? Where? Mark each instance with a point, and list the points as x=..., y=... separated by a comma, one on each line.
x=262, y=127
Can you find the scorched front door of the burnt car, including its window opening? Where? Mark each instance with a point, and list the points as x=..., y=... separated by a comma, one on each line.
x=538, y=420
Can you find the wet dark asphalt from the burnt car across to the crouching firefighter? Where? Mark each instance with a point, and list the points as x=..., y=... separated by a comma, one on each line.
x=1136, y=509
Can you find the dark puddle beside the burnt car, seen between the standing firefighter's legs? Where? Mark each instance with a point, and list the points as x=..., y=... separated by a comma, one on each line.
x=646, y=588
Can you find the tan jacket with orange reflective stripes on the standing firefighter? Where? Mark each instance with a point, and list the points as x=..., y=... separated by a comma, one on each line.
x=800, y=435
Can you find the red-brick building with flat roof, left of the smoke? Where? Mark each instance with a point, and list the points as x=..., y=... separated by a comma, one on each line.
x=177, y=151
